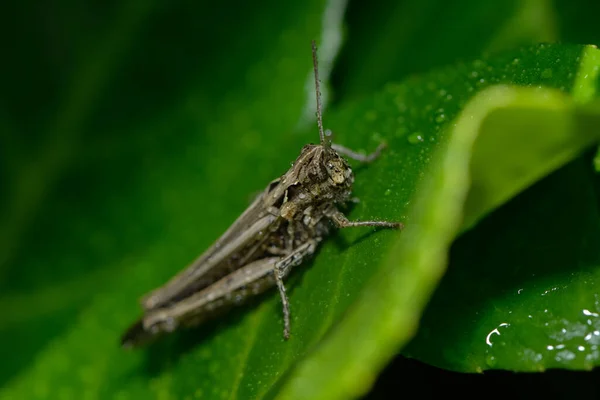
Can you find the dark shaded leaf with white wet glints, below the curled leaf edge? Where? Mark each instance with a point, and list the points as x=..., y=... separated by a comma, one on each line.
x=535, y=303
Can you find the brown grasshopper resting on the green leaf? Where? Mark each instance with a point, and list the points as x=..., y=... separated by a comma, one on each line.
x=278, y=231
